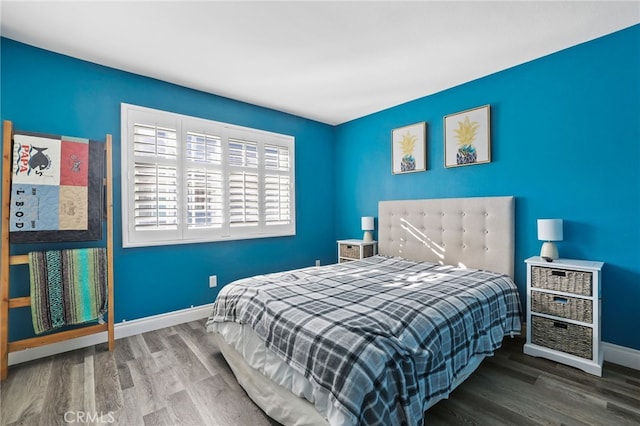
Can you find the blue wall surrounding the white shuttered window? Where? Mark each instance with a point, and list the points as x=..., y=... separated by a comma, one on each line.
x=50, y=93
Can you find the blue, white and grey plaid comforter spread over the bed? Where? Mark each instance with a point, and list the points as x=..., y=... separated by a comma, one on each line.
x=382, y=335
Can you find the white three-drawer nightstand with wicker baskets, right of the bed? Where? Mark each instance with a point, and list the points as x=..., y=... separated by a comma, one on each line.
x=563, y=312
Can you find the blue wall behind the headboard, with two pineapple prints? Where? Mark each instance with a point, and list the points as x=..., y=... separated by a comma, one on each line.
x=565, y=142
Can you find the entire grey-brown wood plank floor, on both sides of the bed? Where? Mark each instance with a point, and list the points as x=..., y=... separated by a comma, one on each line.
x=177, y=376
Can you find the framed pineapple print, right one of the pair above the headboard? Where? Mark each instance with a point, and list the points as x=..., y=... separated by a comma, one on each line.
x=467, y=138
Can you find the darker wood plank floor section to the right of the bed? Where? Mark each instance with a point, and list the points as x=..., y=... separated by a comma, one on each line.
x=512, y=388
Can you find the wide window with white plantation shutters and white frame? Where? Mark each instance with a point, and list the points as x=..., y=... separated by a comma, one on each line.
x=189, y=180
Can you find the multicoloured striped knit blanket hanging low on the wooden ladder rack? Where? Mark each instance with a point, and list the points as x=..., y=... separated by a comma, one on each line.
x=67, y=287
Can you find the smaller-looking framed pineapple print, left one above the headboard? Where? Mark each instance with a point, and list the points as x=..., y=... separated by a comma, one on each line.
x=408, y=149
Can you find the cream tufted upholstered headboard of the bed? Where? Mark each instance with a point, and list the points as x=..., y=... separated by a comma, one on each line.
x=473, y=232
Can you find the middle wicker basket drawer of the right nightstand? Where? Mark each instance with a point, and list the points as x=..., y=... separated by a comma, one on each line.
x=562, y=306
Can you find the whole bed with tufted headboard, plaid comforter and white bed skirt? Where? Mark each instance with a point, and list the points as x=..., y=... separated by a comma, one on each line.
x=382, y=339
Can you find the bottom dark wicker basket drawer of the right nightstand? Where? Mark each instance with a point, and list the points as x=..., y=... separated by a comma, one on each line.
x=561, y=336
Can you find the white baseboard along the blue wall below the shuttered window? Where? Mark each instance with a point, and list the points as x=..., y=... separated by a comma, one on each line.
x=121, y=330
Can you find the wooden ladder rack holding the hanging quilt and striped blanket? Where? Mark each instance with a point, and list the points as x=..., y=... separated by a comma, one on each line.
x=7, y=260
